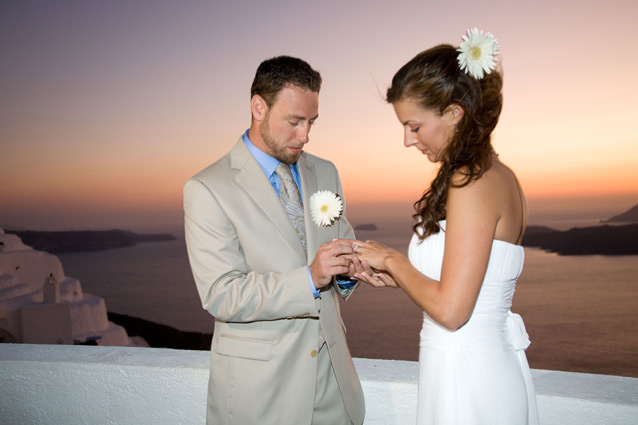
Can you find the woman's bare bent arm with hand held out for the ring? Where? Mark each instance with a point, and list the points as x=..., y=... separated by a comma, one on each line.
x=471, y=223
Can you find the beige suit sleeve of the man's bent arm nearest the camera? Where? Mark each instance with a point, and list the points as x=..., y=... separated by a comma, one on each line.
x=229, y=289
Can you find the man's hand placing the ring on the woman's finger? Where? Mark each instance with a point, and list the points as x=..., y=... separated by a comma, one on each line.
x=331, y=259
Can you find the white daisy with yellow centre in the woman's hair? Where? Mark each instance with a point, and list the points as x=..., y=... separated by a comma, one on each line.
x=478, y=53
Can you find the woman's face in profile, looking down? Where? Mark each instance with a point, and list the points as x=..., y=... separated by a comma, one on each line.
x=425, y=129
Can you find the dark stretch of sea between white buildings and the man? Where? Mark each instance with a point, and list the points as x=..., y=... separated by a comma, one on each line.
x=152, y=281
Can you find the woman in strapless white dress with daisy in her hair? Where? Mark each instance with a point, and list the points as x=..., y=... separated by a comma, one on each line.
x=465, y=255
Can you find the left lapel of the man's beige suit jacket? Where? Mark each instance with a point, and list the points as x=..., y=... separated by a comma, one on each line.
x=251, y=178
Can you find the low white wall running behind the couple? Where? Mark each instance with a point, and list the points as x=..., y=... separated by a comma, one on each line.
x=78, y=385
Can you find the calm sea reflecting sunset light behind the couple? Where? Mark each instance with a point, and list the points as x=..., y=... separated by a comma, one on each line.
x=571, y=304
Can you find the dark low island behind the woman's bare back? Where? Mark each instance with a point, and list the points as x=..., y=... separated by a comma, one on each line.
x=602, y=240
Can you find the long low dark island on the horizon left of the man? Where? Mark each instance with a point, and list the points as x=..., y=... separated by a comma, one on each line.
x=85, y=240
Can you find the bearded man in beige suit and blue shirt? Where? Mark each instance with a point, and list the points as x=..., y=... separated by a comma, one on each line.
x=279, y=354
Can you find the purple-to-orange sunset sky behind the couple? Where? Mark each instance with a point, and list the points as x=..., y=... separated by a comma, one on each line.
x=107, y=107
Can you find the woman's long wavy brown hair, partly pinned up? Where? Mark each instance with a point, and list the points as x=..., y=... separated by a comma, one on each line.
x=434, y=80
